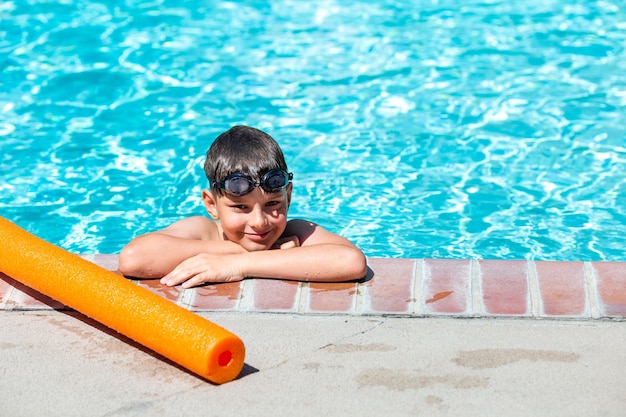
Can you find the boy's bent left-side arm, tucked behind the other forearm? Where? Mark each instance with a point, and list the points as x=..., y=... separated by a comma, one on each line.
x=153, y=255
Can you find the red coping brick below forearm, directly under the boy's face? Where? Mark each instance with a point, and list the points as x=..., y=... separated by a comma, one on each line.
x=275, y=295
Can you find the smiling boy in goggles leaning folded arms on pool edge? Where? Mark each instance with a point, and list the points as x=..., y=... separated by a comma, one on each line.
x=250, y=193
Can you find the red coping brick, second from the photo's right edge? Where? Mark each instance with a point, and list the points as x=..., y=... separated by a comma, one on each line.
x=562, y=289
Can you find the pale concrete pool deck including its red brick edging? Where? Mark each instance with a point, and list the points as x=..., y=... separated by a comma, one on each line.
x=416, y=337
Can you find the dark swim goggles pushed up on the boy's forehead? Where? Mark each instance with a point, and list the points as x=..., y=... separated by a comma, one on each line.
x=239, y=184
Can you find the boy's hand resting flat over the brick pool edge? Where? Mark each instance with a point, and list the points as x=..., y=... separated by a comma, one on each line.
x=203, y=268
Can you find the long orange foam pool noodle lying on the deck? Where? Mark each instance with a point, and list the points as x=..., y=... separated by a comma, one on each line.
x=178, y=334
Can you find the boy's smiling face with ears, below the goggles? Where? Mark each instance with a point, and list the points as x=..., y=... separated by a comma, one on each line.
x=254, y=221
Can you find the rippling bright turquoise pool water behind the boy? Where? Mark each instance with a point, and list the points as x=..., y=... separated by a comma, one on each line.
x=473, y=129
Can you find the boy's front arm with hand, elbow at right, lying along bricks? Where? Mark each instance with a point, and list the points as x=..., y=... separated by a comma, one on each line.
x=321, y=256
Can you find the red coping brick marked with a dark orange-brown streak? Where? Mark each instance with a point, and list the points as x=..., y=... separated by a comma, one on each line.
x=447, y=286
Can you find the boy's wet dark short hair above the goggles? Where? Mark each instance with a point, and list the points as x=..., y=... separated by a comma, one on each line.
x=243, y=149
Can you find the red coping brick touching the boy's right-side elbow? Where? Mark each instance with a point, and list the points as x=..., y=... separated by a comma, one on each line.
x=390, y=290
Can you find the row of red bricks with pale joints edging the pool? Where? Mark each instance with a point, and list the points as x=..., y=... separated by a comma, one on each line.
x=401, y=287
